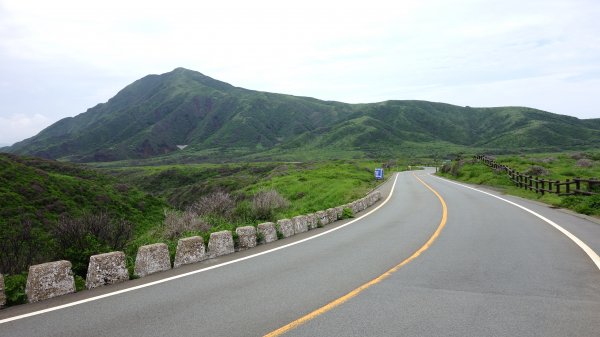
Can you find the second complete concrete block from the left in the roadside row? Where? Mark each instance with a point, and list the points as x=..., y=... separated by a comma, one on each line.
x=105, y=269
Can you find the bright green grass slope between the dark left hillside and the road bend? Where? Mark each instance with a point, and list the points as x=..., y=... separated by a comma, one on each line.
x=307, y=187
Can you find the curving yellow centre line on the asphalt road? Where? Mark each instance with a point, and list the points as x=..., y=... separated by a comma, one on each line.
x=355, y=292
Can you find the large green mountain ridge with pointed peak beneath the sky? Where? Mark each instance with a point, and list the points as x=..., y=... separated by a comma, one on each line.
x=218, y=121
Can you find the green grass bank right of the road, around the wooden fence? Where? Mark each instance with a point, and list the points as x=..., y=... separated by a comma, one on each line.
x=554, y=166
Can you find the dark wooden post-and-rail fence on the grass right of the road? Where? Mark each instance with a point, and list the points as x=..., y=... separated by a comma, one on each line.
x=568, y=187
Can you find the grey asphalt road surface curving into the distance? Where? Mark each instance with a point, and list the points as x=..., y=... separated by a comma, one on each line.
x=494, y=270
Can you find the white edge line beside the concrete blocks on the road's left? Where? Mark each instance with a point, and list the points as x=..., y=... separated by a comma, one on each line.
x=39, y=312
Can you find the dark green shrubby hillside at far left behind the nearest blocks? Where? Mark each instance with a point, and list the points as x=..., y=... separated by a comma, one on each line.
x=46, y=210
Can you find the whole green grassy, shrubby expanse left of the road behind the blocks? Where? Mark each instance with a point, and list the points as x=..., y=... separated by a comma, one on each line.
x=52, y=210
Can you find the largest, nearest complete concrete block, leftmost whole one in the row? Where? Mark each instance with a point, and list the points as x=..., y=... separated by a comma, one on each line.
x=48, y=280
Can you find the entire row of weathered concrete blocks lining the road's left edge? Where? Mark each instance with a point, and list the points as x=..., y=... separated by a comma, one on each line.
x=53, y=279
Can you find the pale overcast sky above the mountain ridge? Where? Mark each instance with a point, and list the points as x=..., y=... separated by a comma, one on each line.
x=58, y=58
